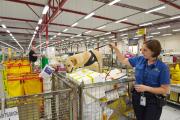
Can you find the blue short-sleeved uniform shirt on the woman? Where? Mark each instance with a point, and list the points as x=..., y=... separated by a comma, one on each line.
x=153, y=75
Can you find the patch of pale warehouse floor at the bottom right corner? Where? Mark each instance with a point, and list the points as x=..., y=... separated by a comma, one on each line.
x=170, y=113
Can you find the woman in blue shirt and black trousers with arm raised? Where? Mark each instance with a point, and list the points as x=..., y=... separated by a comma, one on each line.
x=152, y=80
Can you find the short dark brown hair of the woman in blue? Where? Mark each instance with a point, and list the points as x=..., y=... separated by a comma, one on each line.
x=154, y=46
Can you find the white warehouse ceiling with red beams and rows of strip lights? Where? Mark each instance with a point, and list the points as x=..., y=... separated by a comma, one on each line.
x=66, y=20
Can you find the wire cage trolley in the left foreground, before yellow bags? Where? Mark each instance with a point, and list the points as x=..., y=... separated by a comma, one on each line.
x=56, y=105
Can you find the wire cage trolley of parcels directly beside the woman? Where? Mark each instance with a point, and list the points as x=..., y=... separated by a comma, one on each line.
x=110, y=100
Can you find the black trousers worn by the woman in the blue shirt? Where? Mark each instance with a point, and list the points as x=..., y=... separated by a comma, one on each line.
x=149, y=112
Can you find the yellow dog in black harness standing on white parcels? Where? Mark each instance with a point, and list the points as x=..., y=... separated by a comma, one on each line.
x=90, y=59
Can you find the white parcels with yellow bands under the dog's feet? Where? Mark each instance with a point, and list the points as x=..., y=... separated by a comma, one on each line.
x=86, y=76
